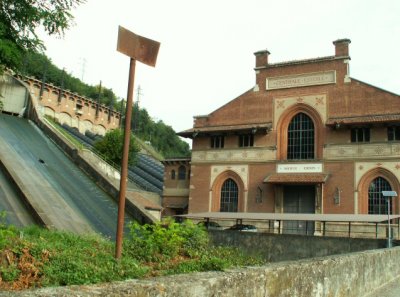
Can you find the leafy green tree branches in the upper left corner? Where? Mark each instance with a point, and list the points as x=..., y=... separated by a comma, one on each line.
x=19, y=20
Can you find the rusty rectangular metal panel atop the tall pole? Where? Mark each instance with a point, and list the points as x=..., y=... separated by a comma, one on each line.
x=137, y=47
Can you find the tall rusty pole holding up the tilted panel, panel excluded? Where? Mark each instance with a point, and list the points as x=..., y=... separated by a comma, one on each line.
x=125, y=156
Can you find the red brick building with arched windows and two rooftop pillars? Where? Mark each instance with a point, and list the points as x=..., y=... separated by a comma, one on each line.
x=308, y=138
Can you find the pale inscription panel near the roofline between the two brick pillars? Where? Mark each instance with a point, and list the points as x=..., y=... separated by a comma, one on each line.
x=309, y=79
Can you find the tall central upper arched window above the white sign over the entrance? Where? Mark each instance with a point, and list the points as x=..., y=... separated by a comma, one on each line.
x=300, y=138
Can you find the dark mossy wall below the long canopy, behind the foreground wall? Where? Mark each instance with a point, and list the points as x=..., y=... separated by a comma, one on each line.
x=274, y=247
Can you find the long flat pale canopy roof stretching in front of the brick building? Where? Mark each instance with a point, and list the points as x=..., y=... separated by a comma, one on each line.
x=291, y=217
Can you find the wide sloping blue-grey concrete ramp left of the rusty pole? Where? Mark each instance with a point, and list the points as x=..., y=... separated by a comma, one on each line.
x=59, y=193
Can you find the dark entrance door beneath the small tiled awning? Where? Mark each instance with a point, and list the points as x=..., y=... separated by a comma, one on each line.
x=298, y=199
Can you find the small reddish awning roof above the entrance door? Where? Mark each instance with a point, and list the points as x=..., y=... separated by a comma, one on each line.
x=296, y=178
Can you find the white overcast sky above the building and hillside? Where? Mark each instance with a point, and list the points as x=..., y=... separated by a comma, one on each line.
x=206, y=55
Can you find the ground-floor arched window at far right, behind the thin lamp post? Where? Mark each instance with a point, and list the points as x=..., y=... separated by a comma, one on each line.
x=377, y=203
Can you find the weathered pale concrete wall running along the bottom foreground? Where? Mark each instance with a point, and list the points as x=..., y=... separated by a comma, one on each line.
x=350, y=275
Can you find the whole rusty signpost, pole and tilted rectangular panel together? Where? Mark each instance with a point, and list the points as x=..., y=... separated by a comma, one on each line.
x=144, y=50
